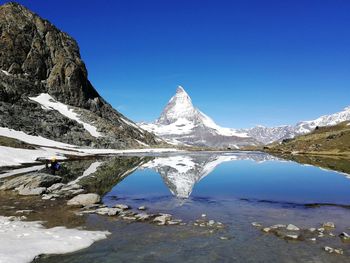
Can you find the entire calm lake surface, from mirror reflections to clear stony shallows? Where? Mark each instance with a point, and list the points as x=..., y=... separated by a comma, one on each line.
x=233, y=188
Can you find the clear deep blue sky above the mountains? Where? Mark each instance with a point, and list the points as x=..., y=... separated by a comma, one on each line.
x=243, y=62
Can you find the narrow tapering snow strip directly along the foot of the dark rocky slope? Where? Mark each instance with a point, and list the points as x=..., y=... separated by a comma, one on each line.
x=35, y=140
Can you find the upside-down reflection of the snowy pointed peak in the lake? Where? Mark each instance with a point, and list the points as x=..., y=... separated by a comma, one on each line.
x=182, y=172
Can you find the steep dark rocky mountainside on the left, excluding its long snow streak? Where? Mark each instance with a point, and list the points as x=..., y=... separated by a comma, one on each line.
x=36, y=57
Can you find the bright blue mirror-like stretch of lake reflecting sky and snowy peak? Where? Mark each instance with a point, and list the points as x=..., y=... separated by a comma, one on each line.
x=235, y=176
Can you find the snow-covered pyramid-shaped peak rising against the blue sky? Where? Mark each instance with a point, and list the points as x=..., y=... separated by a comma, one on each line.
x=181, y=122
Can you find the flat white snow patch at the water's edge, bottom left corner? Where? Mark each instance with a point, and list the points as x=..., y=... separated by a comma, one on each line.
x=21, y=242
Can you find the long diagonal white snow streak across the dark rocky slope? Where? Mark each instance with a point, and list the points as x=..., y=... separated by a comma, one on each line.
x=49, y=103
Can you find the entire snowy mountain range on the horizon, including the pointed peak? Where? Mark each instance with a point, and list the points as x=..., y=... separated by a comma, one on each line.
x=181, y=122
